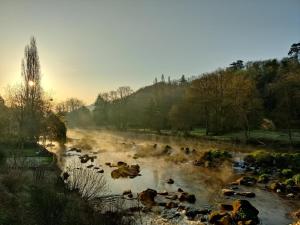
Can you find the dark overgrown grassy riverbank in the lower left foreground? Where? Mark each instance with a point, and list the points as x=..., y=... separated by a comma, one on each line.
x=32, y=192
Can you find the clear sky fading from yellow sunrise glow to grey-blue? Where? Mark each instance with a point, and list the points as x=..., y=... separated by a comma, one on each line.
x=88, y=46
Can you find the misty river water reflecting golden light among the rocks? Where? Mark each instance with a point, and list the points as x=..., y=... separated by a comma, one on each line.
x=156, y=169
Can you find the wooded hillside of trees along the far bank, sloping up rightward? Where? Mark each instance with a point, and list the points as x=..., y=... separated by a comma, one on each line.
x=241, y=97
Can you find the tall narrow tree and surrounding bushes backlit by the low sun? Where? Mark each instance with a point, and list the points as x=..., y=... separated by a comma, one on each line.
x=27, y=114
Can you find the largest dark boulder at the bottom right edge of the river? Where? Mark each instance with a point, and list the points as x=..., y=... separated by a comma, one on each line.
x=244, y=211
